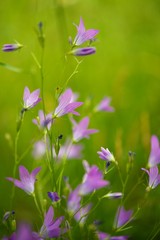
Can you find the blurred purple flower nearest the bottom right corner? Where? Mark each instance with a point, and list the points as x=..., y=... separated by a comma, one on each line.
x=122, y=217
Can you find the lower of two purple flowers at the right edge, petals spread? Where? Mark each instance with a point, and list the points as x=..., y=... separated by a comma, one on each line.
x=154, y=177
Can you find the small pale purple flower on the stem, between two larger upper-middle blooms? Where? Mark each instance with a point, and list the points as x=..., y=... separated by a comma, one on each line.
x=42, y=120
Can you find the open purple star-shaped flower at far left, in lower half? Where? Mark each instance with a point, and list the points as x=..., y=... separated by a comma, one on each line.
x=27, y=180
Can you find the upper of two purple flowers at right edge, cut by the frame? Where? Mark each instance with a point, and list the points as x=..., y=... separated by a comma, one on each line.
x=154, y=157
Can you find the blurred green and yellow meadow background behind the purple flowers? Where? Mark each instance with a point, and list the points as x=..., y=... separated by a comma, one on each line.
x=125, y=67
